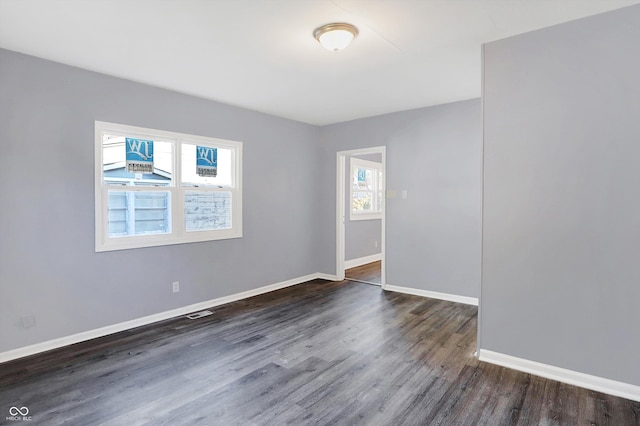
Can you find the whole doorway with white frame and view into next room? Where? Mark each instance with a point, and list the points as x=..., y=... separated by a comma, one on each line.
x=360, y=201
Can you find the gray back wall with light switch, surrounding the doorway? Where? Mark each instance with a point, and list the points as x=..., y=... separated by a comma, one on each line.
x=434, y=236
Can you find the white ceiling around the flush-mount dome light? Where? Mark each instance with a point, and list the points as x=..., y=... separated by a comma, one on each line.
x=261, y=55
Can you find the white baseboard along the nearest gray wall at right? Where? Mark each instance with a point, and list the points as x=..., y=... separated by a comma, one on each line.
x=599, y=384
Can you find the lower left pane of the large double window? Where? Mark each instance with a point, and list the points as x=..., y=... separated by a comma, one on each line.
x=138, y=213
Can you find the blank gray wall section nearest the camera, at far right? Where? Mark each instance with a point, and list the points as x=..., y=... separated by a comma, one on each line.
x=561, y=200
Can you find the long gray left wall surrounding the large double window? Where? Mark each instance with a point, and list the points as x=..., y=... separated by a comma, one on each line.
x=48, y=267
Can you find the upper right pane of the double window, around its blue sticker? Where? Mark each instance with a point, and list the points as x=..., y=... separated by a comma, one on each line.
x=190, y=177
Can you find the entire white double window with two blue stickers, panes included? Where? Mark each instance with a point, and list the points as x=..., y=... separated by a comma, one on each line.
x=157, y=188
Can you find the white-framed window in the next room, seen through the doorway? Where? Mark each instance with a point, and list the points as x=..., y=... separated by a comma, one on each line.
x=366, y=190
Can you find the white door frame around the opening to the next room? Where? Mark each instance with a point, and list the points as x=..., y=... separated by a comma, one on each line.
x=341, y=208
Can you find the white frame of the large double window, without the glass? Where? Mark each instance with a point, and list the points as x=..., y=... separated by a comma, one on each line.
x=178, y=233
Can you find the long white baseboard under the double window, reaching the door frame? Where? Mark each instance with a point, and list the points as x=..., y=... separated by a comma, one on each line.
x=115, y=328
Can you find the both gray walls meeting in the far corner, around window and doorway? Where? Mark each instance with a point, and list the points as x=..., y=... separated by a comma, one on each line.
x=48, y=267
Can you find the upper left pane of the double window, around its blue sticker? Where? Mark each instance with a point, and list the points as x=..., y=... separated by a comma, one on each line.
x=114, y=167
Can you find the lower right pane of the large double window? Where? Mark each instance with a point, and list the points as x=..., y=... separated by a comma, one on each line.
x=207, y=210
